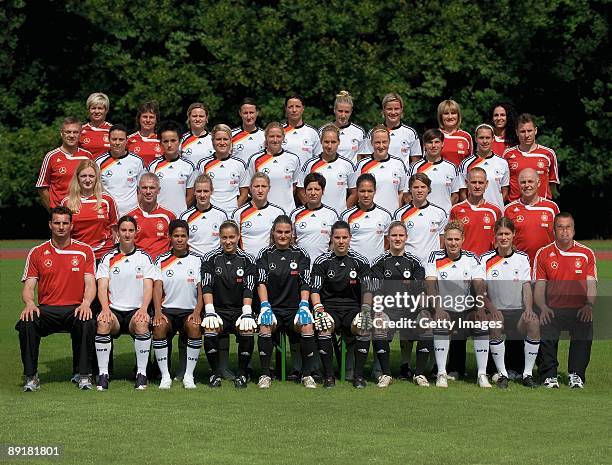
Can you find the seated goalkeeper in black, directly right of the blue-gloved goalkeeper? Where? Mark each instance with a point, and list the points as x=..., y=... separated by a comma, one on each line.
x=341, y=286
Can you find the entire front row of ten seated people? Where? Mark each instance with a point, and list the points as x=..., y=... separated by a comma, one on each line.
x=341, y=288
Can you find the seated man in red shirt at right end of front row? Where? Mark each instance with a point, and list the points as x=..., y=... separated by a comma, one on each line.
x=565, y=291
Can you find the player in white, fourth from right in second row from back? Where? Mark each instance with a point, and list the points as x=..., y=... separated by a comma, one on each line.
x=389, y=171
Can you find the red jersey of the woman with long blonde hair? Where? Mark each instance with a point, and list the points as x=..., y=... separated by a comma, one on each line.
x=94, y=226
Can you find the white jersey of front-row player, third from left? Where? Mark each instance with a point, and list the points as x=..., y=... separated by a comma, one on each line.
x=180, y=277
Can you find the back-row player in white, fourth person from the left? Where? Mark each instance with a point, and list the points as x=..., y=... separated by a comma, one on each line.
x=247, y=139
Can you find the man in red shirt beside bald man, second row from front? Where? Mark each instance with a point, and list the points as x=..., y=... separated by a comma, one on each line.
x=477, y=215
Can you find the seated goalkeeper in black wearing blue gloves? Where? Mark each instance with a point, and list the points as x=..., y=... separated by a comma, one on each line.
x=284, y=290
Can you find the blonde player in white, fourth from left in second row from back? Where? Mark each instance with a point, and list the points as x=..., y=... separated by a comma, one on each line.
x=228, y=173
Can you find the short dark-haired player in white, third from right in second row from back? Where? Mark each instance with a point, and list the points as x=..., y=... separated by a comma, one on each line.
x=442, y=173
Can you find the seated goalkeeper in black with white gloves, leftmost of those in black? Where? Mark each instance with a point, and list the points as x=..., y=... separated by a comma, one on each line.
x=228, y=280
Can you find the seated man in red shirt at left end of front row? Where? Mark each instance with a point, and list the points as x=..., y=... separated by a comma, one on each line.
x=64, y=270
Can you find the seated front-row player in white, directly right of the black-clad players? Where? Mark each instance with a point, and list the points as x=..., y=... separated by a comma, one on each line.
x=450, y=274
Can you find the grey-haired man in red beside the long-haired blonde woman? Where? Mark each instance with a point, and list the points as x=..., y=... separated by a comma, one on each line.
x=153, y=219
